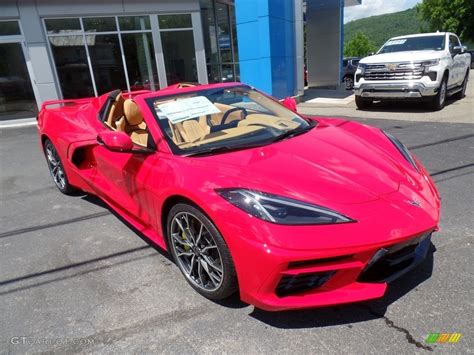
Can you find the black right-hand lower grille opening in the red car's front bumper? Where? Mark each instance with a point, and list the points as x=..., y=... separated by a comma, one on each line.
x=390, y=263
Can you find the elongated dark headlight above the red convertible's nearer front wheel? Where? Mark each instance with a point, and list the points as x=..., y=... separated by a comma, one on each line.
x=280, y=210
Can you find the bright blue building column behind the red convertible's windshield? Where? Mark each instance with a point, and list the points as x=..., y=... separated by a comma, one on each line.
x=267, y=49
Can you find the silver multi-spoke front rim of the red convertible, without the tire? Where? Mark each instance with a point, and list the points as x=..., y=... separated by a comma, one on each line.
x=196, y=252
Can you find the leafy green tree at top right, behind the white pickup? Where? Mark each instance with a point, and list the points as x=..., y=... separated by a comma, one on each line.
x=449, y=16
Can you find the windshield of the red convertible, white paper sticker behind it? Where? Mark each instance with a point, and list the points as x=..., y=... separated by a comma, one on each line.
x=223, y=119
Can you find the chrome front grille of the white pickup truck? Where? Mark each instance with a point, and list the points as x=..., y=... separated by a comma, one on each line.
x=394, y=71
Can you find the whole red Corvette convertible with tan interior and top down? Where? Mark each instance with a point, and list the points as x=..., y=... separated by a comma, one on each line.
x=246, y=194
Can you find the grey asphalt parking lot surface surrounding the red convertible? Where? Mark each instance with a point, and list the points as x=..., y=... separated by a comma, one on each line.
x=75, y=278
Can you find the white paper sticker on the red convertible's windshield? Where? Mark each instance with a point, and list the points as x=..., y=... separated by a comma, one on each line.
x=185, y=109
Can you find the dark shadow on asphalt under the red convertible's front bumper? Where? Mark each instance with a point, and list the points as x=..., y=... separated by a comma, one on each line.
x=351, y=313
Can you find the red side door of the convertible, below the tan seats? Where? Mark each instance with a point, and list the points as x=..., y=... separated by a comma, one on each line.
x=126, y=180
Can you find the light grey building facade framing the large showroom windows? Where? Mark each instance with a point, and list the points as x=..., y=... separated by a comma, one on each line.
x=31, y=12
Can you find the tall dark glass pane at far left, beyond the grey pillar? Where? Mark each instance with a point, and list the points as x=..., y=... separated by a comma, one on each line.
x=16, y=93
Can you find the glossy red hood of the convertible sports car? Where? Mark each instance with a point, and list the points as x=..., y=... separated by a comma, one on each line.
x=327, y=165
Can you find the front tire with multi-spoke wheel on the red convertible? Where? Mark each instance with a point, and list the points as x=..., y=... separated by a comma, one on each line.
x=200, y=252
